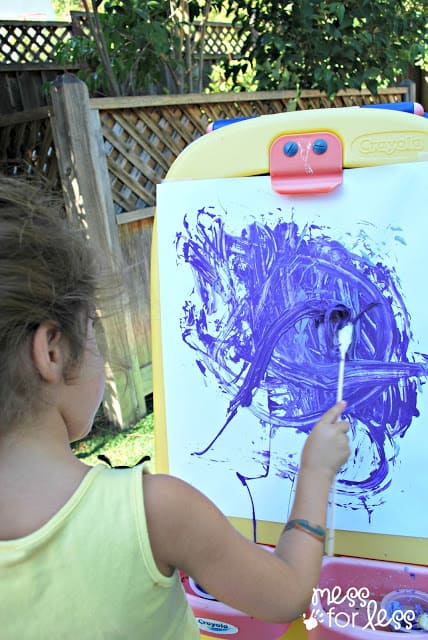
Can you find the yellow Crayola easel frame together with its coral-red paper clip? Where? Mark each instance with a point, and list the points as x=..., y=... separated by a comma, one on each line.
x=359, y=138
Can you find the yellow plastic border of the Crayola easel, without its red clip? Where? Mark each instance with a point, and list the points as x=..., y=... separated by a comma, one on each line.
x=369, y=137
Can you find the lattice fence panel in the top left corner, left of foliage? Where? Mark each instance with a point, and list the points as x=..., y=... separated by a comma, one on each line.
x=33, y=42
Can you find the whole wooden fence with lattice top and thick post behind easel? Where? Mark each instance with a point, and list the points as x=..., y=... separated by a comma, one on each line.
x=116, y=150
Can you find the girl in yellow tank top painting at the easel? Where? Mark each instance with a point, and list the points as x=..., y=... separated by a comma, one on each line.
x=94, y=553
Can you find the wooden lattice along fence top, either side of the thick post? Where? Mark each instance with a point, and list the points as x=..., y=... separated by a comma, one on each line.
x=144, y=134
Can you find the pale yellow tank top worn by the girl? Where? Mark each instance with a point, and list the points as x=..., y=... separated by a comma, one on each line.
x=89, y=573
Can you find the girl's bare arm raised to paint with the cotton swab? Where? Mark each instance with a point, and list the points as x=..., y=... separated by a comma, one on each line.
x=188, y=532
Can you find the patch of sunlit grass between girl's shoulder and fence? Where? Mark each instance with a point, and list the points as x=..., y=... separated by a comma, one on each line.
x=123, y=448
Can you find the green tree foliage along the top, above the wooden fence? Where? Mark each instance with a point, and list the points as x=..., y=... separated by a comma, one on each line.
x=286, y=44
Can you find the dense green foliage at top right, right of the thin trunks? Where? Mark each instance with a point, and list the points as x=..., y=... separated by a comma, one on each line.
x=332, y=45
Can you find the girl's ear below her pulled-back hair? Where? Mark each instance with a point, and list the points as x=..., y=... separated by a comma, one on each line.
x=47, y=351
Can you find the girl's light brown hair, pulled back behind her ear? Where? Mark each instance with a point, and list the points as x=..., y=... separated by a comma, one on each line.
x=48, y=271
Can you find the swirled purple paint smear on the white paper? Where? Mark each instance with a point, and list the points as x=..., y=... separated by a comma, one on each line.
x=263, y=320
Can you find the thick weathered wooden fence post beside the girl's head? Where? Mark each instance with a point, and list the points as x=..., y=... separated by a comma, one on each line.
x=87, y=193
